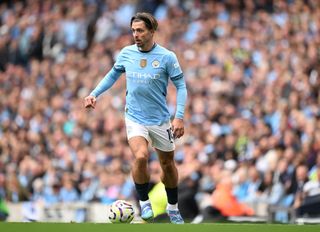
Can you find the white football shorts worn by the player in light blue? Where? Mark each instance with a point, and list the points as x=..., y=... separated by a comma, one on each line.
x=160, y=137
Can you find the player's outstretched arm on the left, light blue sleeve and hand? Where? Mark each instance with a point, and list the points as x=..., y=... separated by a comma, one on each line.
x=106, y=83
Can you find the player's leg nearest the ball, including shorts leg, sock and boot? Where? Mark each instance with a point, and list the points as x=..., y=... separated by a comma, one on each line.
x=138, y=142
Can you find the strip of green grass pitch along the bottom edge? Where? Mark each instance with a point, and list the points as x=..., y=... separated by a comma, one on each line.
x=206, y=227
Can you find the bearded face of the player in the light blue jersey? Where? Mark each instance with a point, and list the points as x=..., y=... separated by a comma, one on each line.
x=141, y=35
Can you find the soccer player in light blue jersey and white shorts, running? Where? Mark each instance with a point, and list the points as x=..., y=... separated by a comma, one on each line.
x=148, y=67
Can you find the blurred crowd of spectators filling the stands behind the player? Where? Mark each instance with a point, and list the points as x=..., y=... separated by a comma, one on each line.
x=252, y=120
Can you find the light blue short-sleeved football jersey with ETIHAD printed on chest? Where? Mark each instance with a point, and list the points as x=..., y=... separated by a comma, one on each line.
x=147, y=76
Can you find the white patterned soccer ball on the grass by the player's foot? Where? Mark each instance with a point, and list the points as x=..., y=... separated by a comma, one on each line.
x=121, y=211
